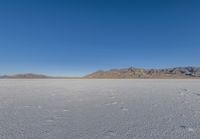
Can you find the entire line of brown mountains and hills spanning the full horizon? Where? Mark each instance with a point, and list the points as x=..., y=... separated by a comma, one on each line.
x=126, y=73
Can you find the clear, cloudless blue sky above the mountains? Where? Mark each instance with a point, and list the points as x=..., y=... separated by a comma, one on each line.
x=75, y=37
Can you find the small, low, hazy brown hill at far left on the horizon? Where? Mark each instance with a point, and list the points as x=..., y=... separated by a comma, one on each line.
x=24, y=76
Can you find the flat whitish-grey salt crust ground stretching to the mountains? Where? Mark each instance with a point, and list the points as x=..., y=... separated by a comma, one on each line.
x=99, y=109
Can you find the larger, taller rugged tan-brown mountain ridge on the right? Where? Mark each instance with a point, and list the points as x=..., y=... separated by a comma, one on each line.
x=139, y=73
